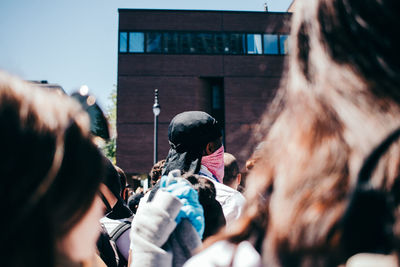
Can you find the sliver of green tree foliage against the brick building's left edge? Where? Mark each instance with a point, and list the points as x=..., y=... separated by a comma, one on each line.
x=110, y=147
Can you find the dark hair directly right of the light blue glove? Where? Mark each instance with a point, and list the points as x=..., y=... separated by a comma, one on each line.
x=213, y=214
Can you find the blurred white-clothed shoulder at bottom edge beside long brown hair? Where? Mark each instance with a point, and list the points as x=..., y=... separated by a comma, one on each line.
x=224, y=253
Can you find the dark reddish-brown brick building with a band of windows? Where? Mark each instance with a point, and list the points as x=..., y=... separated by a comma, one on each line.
x=226, y=63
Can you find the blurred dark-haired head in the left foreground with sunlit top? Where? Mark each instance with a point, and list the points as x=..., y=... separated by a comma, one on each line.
x=50, y=171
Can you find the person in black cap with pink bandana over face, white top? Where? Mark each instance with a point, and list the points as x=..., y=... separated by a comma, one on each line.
x=196, y=147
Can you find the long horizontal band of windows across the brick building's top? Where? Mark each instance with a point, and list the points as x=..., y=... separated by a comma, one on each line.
x=203, y=43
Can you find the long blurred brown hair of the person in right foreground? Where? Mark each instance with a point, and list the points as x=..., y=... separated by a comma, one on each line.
x=341, y=97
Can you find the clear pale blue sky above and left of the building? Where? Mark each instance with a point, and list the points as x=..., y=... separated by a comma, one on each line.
x=74, y=42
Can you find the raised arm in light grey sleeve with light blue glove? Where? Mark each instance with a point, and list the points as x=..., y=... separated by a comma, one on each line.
x=155, y=238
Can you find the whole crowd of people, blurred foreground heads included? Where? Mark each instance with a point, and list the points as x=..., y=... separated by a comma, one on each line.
x=322, y=187
